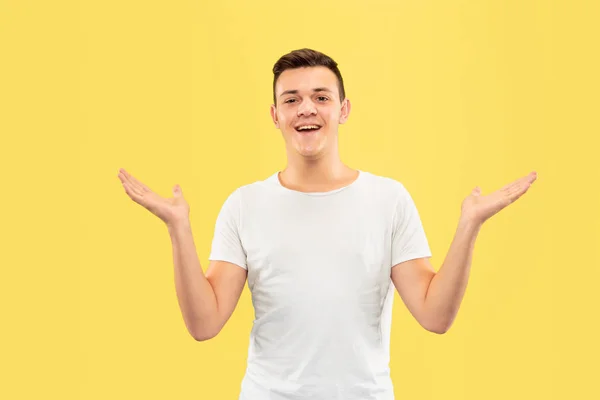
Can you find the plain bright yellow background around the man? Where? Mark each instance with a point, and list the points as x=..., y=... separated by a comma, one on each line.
x=446, y=96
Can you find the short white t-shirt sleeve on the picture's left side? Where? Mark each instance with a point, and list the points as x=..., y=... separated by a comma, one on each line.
x=226, y=244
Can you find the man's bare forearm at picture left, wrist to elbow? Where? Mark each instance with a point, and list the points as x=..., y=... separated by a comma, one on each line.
x=195, y=294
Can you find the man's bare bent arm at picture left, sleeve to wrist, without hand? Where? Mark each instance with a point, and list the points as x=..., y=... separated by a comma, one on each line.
x=206, y=301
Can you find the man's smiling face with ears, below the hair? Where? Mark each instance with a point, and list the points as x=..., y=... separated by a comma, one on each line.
x=309, y=96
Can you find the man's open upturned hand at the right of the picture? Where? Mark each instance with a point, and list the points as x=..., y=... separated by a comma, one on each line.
x=480, y=208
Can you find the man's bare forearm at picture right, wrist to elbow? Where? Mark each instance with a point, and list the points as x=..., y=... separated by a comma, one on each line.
x=448, y=286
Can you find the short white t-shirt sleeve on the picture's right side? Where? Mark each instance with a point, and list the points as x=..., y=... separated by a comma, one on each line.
x=408, y=236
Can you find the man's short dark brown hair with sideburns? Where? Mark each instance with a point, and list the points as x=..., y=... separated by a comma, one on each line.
x=306, y=58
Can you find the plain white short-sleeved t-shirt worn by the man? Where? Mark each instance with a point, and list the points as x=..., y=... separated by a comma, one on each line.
x=319, y=268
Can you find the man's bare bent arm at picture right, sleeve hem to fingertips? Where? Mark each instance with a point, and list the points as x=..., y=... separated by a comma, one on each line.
x=434, y=298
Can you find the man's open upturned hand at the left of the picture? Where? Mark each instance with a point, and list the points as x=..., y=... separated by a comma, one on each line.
x=171, y=211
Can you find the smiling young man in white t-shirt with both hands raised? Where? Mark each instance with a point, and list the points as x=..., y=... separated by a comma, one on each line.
x=322, y=246
